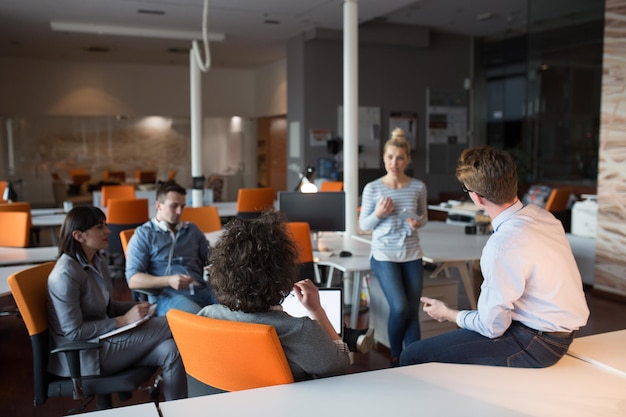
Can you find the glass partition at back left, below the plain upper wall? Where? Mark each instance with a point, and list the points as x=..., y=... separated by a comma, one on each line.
x=35, y=149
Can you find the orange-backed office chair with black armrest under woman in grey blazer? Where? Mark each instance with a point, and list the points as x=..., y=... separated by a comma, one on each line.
x=30, y=288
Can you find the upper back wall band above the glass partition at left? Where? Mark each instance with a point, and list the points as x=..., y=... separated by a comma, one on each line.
x=74, y=88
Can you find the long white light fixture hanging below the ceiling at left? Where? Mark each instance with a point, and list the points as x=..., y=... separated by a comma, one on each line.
x=140, y=32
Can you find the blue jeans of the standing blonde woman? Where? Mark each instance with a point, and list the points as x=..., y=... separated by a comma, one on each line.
x=401, y=283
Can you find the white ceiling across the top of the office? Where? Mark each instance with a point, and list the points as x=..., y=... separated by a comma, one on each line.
x=255, y=30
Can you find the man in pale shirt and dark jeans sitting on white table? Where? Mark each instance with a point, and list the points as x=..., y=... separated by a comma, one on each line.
x=531, y=300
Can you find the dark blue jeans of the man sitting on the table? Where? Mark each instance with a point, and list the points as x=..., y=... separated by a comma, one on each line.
x=518, y=347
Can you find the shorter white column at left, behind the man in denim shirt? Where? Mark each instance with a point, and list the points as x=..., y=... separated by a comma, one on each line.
x=196, y=126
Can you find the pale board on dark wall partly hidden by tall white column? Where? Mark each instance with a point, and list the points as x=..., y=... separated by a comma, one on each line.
x=369, y=135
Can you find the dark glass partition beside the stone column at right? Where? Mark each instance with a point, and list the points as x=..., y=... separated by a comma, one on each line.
x=542, y=91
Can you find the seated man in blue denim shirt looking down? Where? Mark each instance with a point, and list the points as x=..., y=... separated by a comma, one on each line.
x=166, y=257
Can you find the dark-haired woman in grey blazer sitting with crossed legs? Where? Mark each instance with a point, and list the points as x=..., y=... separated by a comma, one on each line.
x=80, y=308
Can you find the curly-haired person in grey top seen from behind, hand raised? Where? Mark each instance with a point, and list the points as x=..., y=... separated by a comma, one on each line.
x=252, y=271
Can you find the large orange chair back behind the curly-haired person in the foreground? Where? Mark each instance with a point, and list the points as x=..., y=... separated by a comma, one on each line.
x=228, y=355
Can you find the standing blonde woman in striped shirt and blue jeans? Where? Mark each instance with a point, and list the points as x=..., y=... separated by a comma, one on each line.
x=394, y=207
